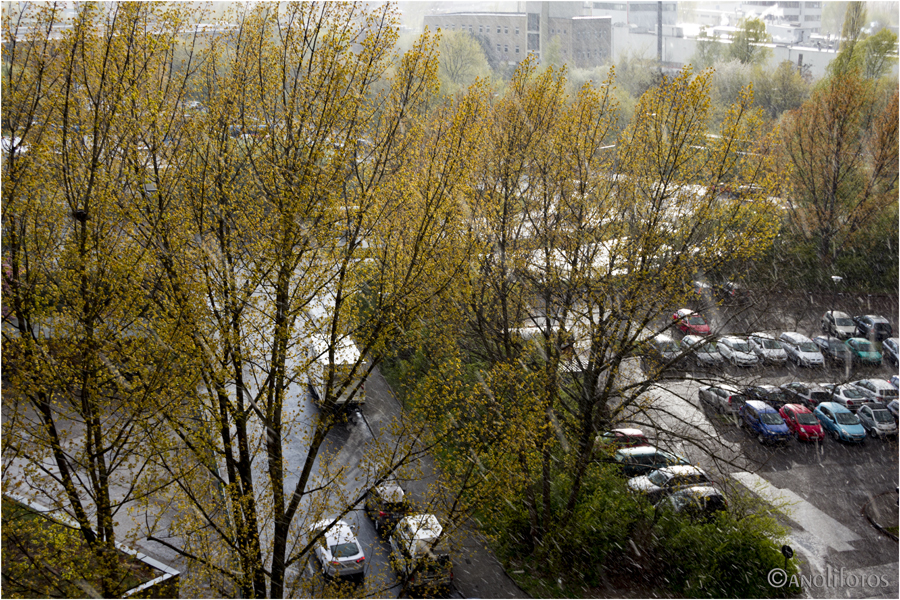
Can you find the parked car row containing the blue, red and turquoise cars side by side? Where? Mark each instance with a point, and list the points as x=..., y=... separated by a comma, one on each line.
x=807, y=411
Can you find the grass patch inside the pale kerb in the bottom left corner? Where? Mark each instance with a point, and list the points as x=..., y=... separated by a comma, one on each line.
x=46, y=559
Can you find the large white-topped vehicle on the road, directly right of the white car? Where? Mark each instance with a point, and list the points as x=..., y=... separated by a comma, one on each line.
x=420, y=554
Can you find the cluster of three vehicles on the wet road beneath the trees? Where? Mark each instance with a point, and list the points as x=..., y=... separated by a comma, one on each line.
x=419, y=550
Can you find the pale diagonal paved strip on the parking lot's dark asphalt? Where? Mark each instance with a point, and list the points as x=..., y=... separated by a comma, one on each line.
x=810, y=518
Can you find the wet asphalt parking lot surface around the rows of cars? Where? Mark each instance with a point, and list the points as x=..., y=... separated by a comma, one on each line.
x=823, y=485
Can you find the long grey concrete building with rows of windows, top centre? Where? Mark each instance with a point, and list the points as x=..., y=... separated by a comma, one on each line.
x=582, y=41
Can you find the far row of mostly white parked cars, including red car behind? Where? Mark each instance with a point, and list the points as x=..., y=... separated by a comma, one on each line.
x=762, y=347
